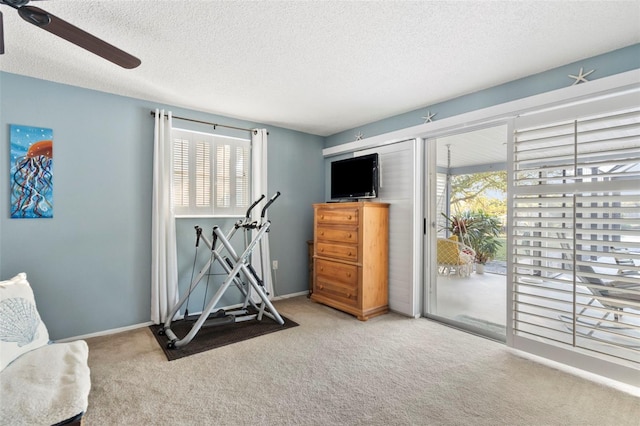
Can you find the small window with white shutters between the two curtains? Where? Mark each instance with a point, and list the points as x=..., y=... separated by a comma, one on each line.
x=211, y=174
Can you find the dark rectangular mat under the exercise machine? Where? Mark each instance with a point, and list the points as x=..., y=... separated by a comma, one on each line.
x=214, y=337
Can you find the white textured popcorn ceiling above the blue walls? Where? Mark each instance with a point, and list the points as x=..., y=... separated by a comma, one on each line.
x=316, y=66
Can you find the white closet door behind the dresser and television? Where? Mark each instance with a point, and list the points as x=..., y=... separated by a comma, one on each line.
x=398, y=188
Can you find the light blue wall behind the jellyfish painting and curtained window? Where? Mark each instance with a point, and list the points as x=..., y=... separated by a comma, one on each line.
x=90, y=264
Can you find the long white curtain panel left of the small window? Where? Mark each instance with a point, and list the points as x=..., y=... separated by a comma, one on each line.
x=164, y=264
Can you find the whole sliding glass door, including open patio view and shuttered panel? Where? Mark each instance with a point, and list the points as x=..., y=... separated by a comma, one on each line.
x=568, y=287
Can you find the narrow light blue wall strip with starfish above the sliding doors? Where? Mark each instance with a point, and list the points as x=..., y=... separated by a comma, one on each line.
x=615, y=62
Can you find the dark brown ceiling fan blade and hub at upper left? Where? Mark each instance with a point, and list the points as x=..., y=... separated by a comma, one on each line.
x=75, y=35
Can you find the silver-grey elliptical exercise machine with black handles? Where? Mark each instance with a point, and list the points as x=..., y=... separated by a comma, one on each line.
x=236, y=267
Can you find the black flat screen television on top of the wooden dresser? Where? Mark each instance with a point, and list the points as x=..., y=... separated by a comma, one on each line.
x=355, y=178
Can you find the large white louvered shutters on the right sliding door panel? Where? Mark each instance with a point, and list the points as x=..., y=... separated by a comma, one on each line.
x=575, y=232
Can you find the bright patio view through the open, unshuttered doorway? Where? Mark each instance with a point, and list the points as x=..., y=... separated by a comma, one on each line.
x=466, y=182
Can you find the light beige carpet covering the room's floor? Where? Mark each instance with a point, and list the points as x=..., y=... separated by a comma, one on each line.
x=336, y=370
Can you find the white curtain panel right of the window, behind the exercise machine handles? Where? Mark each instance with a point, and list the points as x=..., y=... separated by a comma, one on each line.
x=261, y=257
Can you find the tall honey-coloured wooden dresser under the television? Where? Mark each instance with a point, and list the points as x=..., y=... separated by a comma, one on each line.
x=350, y=257
